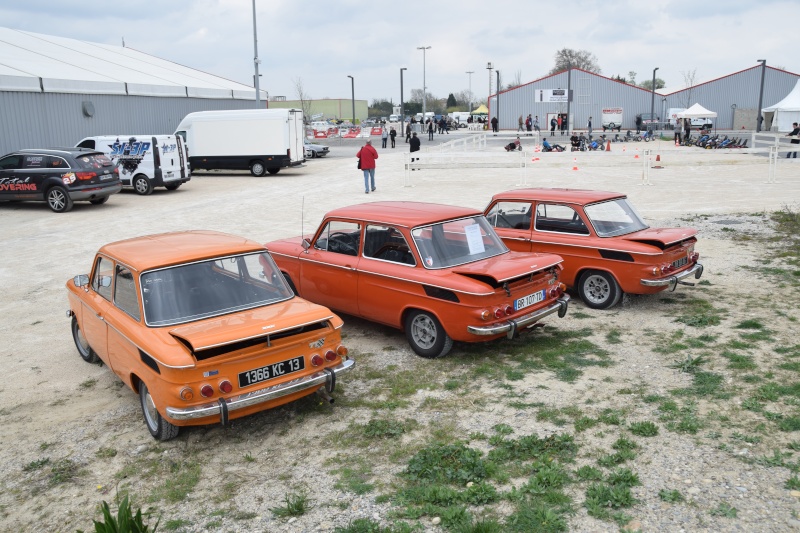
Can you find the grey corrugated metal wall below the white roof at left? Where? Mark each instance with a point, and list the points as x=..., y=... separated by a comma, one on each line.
x=40, y=120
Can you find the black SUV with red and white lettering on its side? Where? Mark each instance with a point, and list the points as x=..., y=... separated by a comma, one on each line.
x=58, y=176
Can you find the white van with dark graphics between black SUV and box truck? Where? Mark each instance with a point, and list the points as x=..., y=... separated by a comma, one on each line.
x=144, y=161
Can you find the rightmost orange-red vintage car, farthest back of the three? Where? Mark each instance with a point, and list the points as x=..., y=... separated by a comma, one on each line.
x=606, y=246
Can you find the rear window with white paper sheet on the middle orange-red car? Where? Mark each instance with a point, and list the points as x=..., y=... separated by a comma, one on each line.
x=456, y=242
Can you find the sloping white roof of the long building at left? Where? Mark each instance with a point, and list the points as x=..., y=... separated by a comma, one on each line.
x=33, y=62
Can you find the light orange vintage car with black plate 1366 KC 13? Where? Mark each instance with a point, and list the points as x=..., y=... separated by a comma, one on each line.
x=203, y=326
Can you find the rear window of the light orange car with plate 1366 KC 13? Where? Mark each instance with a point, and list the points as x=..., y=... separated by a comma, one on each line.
x=194, y=291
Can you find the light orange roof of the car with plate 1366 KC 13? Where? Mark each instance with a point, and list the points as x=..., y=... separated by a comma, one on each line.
x=166, y=249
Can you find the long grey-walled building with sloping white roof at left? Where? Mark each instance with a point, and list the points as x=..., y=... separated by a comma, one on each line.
x=55, y=91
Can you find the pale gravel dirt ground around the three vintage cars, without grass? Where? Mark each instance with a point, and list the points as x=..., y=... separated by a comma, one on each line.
x=56, y=408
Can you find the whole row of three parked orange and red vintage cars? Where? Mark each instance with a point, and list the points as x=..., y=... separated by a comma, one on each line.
x=208, y=327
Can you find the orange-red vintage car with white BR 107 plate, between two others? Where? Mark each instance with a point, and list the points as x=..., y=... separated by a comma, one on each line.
x=438, y=272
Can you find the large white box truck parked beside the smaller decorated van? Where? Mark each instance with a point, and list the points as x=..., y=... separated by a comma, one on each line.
x=261, y=140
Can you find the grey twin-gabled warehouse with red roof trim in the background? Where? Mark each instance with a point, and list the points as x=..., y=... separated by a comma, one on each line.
x=734, y=98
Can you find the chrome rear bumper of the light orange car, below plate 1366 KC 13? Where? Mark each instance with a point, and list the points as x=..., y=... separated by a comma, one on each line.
x=325, y=377
